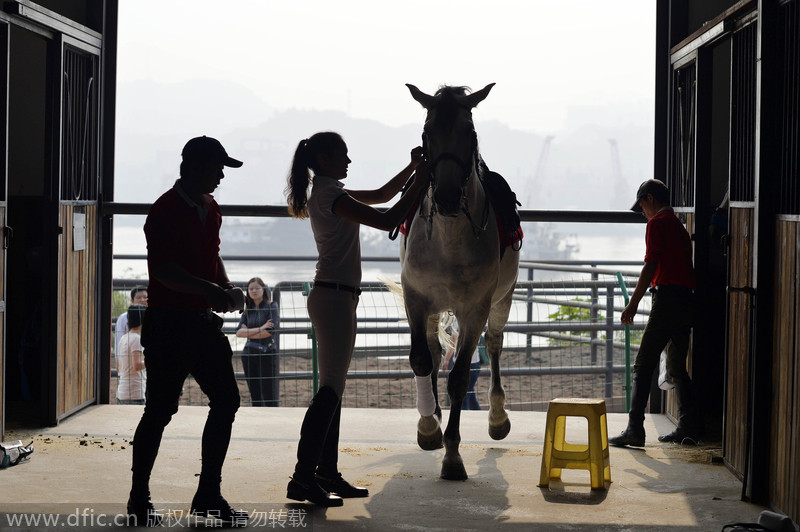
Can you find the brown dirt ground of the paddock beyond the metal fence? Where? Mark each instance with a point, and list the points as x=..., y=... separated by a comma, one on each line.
x=523, y=392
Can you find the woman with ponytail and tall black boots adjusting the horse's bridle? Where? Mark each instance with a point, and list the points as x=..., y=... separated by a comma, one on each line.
x=336, y=214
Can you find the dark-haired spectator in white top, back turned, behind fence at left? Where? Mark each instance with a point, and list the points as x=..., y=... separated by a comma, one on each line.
x=130, y=361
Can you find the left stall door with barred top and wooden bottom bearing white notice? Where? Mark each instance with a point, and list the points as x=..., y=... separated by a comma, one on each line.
x=78, y=216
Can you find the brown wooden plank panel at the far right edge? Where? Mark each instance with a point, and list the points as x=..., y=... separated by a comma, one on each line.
x=784, y=439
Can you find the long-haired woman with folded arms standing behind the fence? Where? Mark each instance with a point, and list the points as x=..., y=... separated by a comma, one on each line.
x=260, y=353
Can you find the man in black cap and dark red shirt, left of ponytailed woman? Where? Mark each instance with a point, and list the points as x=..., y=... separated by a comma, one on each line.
x=181, y=335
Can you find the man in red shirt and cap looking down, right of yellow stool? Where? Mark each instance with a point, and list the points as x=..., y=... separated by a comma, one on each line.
x=669, y=274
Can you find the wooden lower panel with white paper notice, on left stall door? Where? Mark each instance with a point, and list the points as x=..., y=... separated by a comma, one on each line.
x=77, y=297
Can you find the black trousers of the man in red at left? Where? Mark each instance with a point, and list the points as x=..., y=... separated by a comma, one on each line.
x=178, y=344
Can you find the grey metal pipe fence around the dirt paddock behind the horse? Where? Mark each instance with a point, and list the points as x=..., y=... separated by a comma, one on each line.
x=598, y=329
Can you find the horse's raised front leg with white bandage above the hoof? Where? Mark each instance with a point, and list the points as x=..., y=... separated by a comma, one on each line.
x=429, y=430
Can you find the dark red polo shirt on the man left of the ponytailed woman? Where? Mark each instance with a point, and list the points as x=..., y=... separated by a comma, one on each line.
x=175, y=233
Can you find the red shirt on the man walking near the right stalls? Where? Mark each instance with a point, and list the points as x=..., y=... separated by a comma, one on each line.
x=670, y=247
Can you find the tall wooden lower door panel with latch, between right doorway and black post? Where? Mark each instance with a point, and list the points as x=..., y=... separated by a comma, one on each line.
x=741, y=275
